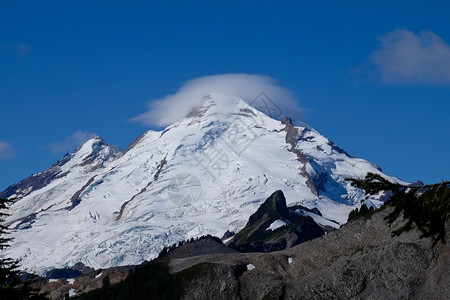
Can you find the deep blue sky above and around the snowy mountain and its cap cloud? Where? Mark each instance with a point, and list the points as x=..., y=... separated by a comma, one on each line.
x=374, y=77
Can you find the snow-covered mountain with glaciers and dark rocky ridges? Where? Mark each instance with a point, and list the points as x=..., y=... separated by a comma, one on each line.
x=204, y=174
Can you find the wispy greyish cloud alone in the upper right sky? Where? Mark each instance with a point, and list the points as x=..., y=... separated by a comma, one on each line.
x=405, y=57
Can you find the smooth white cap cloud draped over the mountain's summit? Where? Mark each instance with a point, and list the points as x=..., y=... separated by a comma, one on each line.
x=173, y=107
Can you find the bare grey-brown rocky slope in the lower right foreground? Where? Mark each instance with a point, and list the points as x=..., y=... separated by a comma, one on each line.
x=359, y=261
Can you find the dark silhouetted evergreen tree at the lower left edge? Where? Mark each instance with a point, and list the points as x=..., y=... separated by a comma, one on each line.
x=11, y=284
